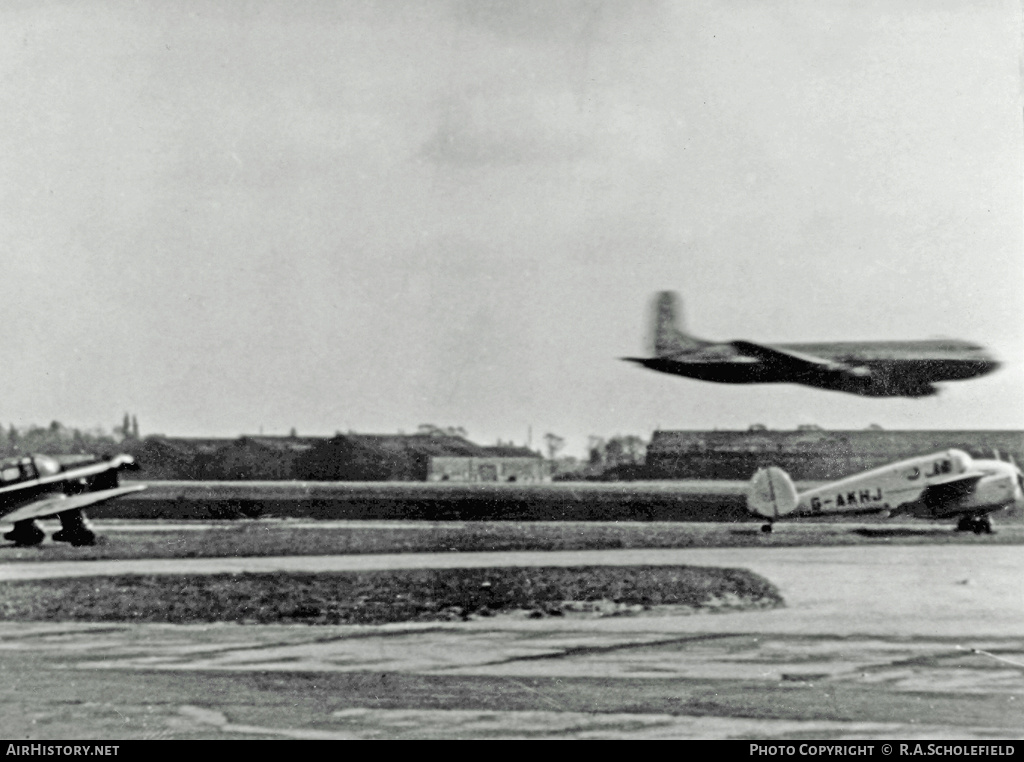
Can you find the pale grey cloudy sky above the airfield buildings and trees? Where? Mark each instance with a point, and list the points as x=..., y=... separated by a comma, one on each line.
x=243, y=218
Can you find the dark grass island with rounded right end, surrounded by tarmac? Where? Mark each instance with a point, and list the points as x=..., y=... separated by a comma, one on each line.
x=380, y=598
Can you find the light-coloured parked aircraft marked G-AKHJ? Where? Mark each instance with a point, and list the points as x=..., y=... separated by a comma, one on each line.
x=947, y=485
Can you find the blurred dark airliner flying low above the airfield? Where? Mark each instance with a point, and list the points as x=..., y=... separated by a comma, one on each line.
x=880, y=369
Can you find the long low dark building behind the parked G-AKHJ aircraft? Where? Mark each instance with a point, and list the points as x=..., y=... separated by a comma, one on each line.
x=812, y=454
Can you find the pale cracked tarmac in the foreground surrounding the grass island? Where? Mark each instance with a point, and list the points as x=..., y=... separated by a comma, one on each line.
x=899, y=643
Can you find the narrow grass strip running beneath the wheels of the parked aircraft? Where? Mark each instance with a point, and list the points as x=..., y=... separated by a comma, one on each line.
x=277, y=538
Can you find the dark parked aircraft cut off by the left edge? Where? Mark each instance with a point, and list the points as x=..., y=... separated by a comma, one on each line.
x=34, y=487
